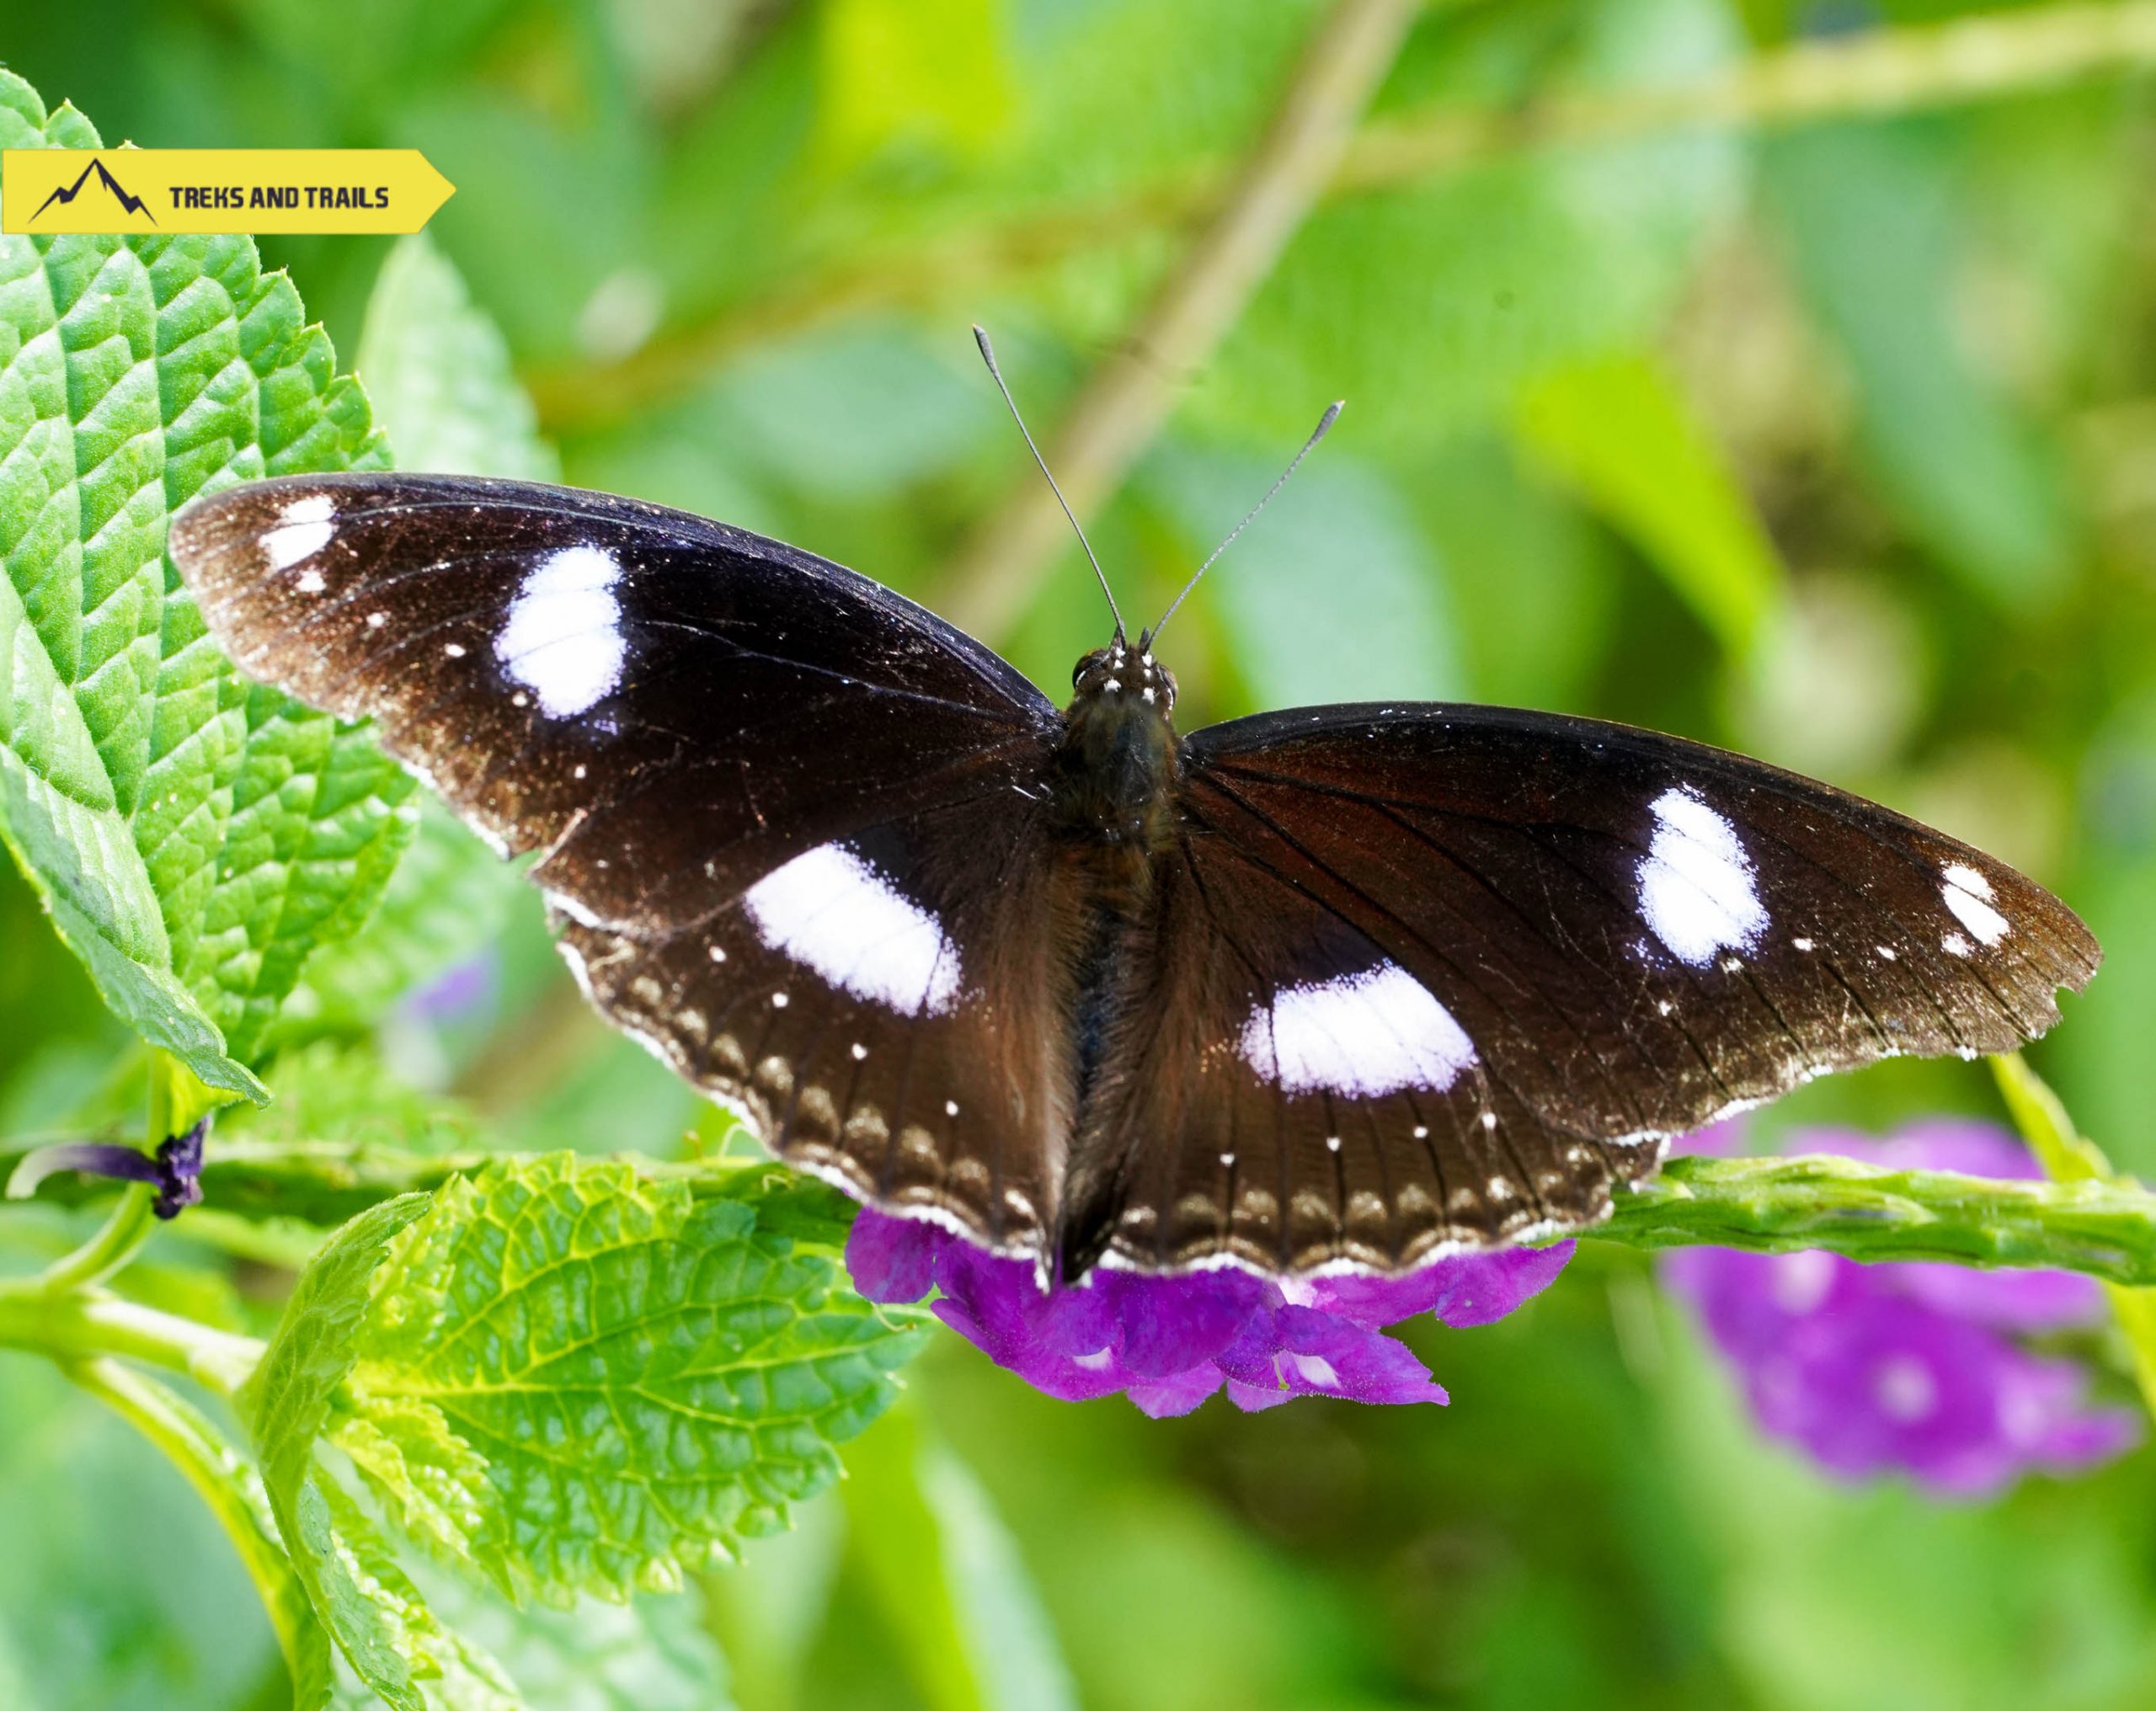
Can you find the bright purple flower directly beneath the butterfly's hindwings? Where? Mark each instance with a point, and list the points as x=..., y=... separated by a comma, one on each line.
x=1170, y=1344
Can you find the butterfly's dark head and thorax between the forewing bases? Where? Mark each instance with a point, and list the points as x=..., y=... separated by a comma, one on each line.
x=1118, y=764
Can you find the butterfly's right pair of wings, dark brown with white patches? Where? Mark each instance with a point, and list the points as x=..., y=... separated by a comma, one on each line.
x=1448, y=973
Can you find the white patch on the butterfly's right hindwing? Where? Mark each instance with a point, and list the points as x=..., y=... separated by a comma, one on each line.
x=1368, y=1033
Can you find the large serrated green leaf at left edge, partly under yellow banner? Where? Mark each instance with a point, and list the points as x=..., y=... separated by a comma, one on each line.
x=191, y=837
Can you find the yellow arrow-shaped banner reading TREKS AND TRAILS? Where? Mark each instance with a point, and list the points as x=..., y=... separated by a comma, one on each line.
x=219, y=191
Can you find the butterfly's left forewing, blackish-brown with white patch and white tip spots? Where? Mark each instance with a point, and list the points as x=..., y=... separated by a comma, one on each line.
x=663, y=706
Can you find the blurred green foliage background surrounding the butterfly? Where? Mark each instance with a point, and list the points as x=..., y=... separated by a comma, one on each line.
x=1827, y=434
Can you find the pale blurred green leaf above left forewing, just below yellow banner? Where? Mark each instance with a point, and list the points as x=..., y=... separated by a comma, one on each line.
x=441, y=378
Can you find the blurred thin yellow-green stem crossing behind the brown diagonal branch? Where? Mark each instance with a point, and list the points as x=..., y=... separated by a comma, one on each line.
x=1877, y=72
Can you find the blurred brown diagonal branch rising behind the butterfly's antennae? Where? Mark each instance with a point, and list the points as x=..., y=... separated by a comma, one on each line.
x=1131, y=395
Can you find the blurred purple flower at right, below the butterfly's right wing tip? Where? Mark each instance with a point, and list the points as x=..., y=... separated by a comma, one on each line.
x=1909, y=1367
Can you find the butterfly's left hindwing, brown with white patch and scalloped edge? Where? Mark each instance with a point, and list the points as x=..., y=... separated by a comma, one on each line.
x=883, y=1010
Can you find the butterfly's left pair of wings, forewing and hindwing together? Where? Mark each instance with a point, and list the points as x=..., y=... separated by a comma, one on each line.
x=771, y=798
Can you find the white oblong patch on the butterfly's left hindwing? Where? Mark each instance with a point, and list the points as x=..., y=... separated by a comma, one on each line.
x=833, y=913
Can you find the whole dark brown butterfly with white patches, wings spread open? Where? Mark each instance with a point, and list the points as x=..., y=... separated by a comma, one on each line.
x=1333, y=988
